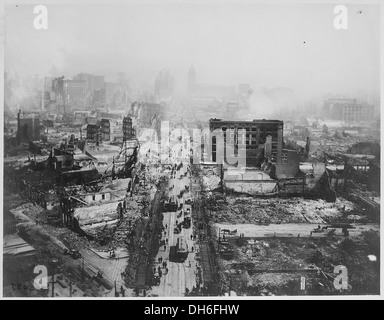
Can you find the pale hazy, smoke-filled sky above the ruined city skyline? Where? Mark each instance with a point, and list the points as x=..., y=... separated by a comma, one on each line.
x=227, y=43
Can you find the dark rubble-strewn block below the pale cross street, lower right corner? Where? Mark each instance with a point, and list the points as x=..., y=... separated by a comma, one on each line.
x=262, y=267
